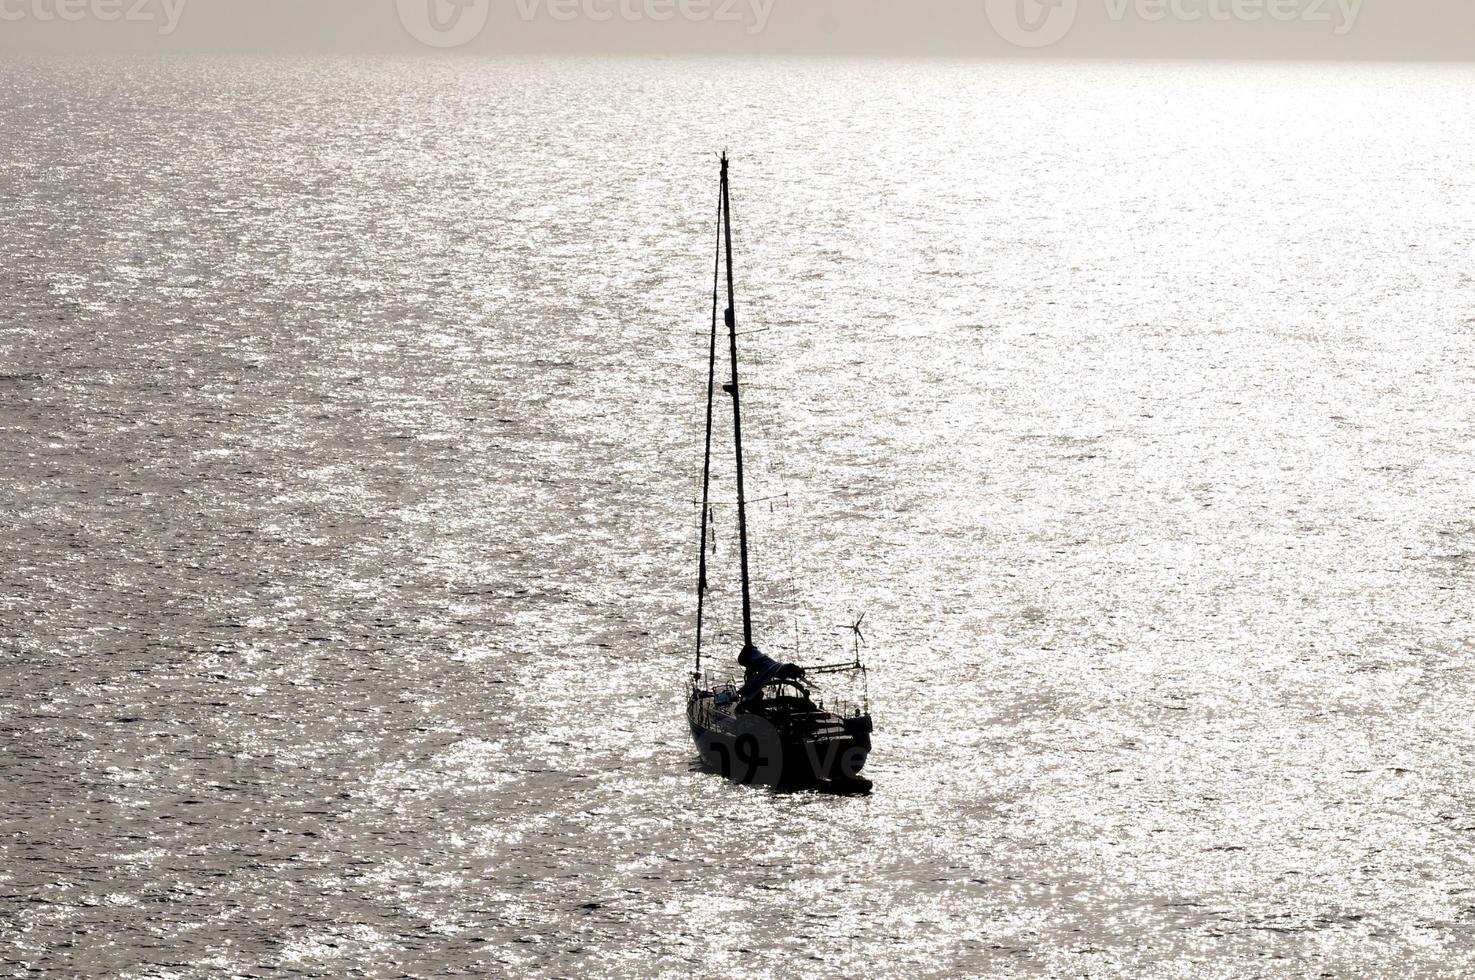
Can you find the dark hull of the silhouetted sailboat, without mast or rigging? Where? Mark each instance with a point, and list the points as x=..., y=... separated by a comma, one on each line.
x=777, y=749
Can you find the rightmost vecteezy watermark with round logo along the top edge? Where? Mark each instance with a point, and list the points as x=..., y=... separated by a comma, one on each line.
x=1044, y=23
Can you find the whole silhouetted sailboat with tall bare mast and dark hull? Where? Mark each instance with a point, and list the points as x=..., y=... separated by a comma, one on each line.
x=768, y=725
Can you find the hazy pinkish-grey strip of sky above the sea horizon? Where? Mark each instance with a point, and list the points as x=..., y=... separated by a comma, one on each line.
x=1415, y=30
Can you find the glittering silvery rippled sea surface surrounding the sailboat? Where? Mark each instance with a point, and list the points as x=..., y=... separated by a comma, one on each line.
x=349, y=435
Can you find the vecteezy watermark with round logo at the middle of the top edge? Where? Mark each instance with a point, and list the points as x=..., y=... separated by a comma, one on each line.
x=457, y=23
